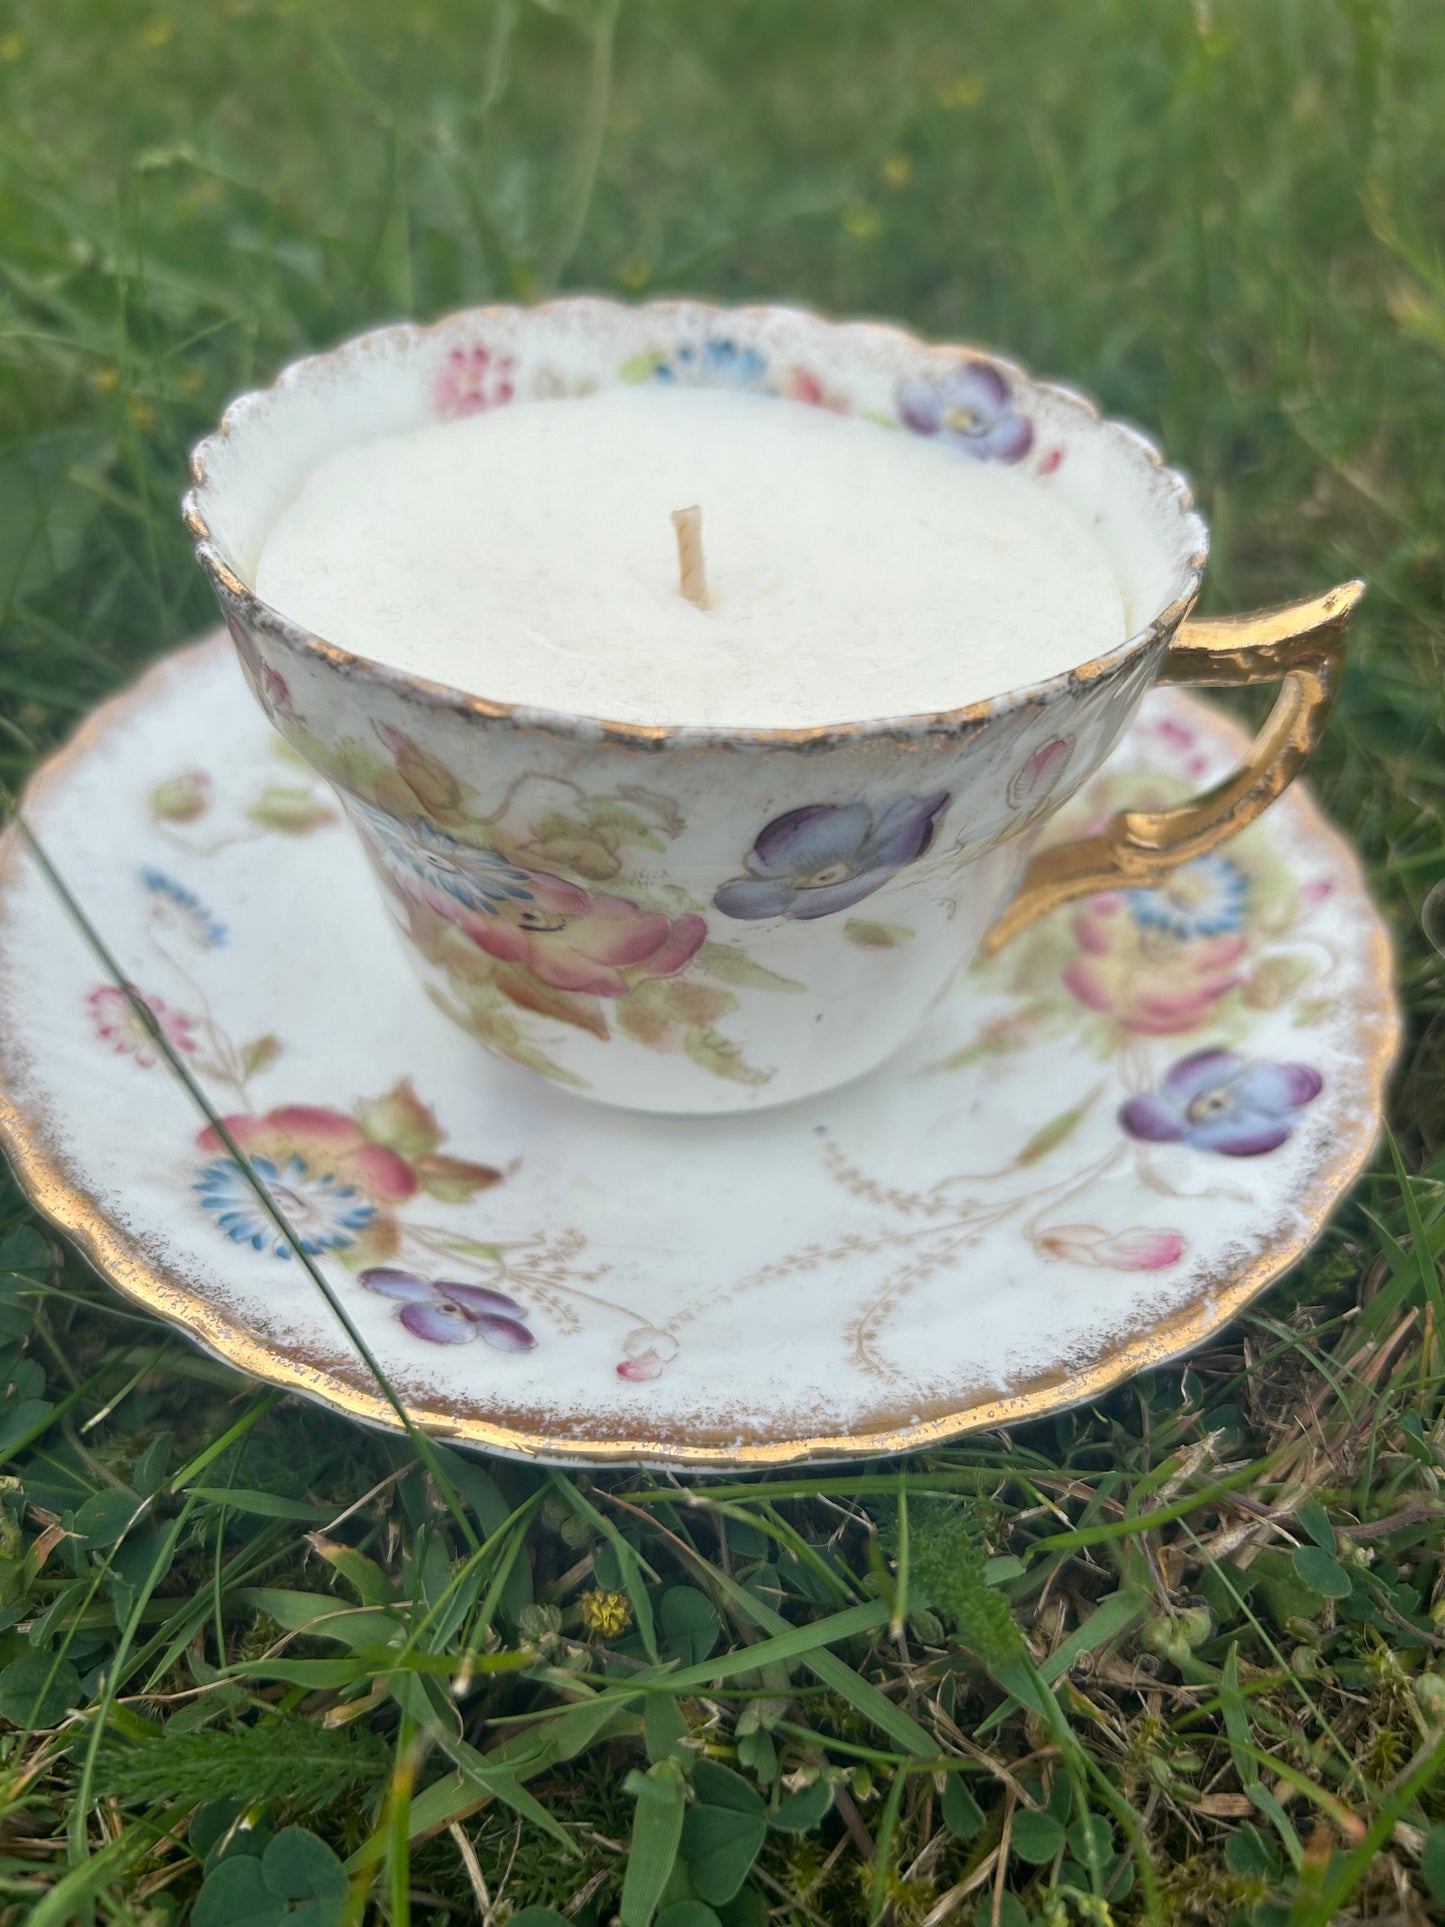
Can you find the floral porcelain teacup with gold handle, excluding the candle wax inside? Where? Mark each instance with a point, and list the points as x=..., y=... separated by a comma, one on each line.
x=714, y=920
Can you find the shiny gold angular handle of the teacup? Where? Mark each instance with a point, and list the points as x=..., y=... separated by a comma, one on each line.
x=1301, y=645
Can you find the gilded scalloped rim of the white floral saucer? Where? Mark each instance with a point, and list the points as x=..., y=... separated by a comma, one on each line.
x=41, y=1173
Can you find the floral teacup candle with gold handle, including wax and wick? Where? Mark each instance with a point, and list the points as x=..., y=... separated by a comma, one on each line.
x=700, y=681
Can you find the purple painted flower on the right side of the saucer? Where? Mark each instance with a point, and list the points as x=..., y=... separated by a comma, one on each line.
x=1219, y=1101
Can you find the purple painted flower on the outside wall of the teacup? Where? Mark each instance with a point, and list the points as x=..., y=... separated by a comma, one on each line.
x=824, y=858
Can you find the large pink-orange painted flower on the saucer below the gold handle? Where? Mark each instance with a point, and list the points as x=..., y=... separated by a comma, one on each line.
x=1147, y=978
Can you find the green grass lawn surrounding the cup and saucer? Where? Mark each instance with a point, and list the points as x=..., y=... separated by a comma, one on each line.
x=1178, y=1656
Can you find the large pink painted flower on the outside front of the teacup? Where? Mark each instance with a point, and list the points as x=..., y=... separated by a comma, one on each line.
x=592, y=943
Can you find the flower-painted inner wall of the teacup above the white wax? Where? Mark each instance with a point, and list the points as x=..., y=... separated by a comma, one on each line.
x=409, y=377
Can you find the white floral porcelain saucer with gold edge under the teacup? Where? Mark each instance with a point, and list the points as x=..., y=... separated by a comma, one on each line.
x=1099, y=1149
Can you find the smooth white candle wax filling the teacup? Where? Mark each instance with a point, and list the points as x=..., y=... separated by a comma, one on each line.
x=854, y=571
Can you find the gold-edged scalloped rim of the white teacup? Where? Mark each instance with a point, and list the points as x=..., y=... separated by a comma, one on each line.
x=261, y=616
